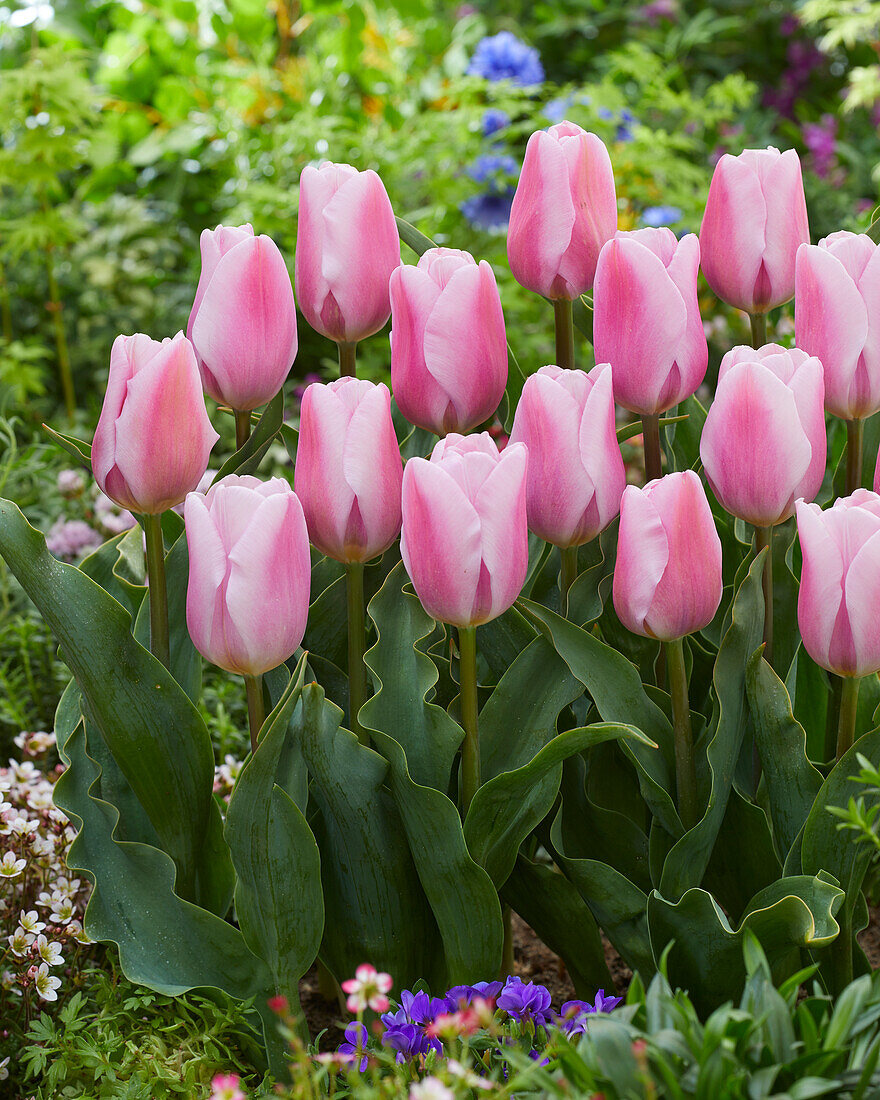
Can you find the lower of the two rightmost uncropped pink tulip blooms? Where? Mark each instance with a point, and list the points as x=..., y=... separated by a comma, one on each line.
x=764, y=442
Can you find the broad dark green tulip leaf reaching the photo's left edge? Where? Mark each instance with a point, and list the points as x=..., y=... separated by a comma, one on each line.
x=153, y=731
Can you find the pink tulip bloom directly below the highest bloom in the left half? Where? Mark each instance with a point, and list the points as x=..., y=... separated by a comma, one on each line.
x=349, y=470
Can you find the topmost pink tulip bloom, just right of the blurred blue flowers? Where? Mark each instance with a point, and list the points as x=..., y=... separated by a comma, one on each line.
x=565, y=211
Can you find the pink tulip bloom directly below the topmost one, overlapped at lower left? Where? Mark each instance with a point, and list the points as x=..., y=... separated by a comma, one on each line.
x=577, y=474
